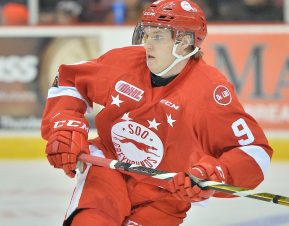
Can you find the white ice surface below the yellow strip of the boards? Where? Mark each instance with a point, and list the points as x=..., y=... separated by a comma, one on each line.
x=33, y=193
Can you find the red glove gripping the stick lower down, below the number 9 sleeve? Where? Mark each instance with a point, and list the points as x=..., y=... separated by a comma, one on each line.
x=207, y=168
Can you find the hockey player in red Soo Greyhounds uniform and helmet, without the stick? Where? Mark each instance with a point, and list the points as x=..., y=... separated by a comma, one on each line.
x=165, y=108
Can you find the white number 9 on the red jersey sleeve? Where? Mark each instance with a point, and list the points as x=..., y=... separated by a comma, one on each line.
x=241, y=129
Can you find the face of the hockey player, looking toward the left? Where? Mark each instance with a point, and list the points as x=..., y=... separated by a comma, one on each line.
x=158, y=43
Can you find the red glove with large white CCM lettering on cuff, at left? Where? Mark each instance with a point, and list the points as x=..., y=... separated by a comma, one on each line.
x=69, y=132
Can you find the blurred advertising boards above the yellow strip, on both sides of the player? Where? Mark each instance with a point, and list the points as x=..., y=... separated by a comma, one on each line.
x=255, y=58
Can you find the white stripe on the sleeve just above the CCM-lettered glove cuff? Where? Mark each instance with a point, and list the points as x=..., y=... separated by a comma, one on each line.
x=67, y=91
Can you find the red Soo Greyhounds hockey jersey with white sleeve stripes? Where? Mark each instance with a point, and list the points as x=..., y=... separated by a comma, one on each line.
x=169, y=127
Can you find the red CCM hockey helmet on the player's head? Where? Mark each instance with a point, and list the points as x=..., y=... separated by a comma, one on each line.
x=178, y=15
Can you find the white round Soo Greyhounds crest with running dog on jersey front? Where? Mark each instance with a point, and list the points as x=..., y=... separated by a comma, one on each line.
x=136, y=144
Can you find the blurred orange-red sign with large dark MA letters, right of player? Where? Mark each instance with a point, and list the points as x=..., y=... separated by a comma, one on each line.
x=258, y=67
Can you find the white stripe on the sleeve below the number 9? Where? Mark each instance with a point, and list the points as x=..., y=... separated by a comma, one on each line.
x=259, y=155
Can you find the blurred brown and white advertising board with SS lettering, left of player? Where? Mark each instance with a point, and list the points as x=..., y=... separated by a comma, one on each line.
x=29, y=58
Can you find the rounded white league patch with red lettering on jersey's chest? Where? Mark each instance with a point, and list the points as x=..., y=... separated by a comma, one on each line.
x=129, y=90
